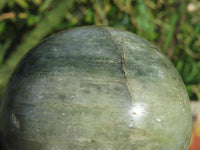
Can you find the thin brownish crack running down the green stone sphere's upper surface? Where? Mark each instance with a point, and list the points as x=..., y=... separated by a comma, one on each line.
x=122, y=64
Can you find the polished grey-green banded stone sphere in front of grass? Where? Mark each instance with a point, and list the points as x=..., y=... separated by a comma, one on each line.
x=95, y=88
